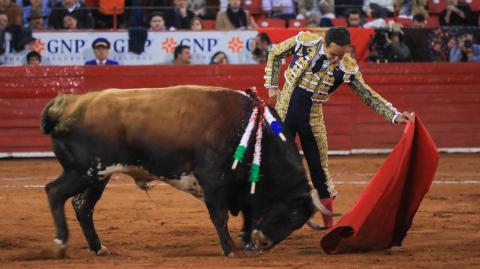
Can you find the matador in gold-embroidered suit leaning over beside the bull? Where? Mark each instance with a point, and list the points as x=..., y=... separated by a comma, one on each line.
x=318, y=67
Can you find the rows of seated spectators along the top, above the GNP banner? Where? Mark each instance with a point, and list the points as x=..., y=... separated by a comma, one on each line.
x=227, y=14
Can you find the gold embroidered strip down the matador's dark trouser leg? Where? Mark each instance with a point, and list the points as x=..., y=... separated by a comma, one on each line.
x=320, y=134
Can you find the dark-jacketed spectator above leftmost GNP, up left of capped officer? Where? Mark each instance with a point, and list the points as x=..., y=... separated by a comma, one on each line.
x=71, y=7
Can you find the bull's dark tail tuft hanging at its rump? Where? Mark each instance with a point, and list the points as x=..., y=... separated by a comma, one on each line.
x=52, y=112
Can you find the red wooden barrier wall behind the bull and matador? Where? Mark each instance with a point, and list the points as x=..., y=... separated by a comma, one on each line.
x=446, y=96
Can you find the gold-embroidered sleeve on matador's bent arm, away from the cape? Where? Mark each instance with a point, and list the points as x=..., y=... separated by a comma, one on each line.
x=274, y=60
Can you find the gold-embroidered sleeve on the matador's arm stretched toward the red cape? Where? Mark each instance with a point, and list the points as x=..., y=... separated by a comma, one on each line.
x=372, y=98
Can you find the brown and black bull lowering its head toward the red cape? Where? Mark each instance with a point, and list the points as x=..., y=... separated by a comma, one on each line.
x=184, y=136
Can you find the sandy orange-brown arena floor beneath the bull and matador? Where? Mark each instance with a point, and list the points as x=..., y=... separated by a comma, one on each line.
x=171, y=229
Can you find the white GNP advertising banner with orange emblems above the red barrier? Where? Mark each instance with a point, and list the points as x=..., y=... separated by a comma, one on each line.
x=75, y=48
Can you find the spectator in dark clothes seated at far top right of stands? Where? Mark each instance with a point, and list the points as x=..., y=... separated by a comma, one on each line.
x=456, y=14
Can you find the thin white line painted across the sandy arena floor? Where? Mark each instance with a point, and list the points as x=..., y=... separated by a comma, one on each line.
x=337, y=182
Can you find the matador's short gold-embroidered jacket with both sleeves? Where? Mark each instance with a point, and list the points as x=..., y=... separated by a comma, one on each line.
x=304, y=47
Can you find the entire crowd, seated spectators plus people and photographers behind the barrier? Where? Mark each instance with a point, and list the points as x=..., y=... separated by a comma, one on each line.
x=168, y=15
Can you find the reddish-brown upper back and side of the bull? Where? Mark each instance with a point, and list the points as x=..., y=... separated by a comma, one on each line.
x=181, y=116
